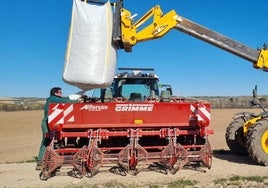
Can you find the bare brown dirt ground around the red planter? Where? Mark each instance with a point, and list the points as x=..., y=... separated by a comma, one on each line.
x=20, y=135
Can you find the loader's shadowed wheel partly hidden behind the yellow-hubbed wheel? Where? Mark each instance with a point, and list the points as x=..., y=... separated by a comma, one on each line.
x=235, y=138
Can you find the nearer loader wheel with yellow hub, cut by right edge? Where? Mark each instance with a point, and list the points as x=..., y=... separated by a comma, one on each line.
x=257, y=143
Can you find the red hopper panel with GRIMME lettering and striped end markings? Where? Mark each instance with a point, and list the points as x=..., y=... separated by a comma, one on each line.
x=116, y=115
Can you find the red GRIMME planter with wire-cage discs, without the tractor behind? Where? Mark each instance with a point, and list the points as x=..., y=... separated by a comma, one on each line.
x=103, y=122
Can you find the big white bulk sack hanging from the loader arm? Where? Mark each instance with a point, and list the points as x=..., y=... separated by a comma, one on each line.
x=90, y=57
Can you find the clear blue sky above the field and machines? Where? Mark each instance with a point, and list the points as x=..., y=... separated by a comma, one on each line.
x=34, y=34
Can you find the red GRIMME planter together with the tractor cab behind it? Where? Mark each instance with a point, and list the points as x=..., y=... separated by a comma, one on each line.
x=135, y=123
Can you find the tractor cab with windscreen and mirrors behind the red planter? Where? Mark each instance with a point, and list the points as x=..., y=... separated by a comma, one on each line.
x=136, y=85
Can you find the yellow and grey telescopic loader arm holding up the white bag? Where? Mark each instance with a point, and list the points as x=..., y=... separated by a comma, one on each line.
x=130, y=33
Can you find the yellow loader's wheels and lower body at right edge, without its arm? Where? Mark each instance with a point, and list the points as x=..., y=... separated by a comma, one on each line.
x=247, y=134
